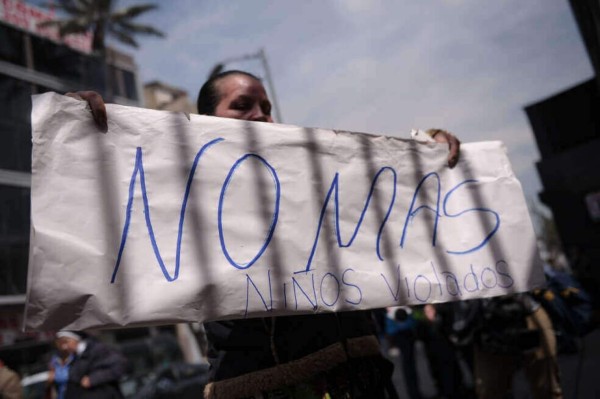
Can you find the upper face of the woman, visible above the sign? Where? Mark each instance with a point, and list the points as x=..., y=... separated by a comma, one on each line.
x=243, y=98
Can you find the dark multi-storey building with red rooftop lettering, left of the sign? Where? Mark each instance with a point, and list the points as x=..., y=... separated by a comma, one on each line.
x=33, y=61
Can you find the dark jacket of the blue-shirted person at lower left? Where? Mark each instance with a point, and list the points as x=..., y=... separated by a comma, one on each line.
x=103, y=365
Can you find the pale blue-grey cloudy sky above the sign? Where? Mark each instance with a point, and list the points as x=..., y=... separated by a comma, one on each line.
x=383, y=66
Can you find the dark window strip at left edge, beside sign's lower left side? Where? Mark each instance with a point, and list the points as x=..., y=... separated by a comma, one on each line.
x=14, y=239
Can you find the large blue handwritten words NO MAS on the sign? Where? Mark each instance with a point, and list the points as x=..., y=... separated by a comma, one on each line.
x=439, y=209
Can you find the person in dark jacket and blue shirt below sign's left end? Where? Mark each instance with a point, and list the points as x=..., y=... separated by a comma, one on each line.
x=96, y=369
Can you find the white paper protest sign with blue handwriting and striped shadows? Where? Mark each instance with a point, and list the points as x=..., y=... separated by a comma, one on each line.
x=164, y=220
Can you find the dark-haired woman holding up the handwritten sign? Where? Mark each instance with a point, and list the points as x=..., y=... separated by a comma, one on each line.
x=333, y=355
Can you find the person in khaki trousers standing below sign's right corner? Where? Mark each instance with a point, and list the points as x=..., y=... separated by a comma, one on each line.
x=515, y=331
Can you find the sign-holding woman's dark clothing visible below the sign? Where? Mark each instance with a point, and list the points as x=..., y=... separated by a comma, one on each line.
x=257, y=355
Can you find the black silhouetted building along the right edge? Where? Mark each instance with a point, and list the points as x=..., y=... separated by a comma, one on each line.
x=566, y=128
